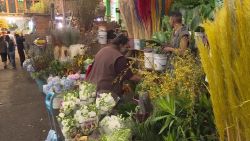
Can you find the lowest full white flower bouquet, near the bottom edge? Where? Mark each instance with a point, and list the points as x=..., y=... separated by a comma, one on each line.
x=110, y=124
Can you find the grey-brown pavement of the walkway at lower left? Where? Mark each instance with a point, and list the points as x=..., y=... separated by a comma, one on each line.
x=22, y=111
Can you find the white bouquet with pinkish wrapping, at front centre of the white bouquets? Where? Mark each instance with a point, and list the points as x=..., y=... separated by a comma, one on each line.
x=87, y=119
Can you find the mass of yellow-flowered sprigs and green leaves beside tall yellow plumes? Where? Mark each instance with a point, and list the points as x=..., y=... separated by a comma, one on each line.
x=182, y=110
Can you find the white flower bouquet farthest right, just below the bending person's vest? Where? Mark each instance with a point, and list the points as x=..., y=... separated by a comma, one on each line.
x=105, y=103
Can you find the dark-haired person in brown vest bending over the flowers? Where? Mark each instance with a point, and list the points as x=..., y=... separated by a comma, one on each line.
x=110, y=64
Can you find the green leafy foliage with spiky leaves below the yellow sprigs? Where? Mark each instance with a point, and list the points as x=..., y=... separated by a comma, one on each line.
x=179, y=118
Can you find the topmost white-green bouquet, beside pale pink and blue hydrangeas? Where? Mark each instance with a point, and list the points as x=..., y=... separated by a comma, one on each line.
x=87, y=93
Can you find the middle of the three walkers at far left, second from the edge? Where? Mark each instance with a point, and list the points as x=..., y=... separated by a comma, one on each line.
x=11, y=50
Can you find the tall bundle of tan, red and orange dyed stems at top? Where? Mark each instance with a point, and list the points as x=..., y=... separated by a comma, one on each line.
x=143, y=17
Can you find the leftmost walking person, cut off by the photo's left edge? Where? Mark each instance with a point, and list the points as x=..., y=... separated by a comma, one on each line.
x=3, y=51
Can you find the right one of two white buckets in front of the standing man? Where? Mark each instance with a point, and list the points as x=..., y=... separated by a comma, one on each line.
x=160, y=62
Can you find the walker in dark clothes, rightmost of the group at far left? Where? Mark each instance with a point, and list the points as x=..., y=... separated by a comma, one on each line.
x=20, y=48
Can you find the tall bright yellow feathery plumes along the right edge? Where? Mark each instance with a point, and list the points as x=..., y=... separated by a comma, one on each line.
x=227, y=65
